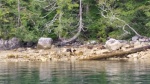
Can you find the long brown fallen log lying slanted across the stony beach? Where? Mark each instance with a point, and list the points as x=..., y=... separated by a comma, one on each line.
x=115, y=54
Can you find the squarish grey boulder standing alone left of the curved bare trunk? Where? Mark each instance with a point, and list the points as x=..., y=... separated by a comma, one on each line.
x=44, y=43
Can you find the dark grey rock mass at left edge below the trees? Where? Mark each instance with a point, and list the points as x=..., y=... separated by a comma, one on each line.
x=9, y=44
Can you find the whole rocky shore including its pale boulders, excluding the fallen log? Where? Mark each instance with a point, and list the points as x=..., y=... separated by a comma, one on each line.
x=46, y=51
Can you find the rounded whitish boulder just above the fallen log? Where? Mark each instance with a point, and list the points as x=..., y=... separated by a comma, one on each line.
x=113, y=44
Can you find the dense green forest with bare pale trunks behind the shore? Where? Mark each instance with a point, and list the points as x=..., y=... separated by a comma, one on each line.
x=85, y=20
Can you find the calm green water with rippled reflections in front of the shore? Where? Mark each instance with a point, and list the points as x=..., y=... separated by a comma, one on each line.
x=83, y=72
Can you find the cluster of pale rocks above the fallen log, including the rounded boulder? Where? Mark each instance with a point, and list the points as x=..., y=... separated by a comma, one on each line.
x=136, y=42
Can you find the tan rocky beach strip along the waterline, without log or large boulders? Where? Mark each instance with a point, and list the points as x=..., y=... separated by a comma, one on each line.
x=64, y=54
